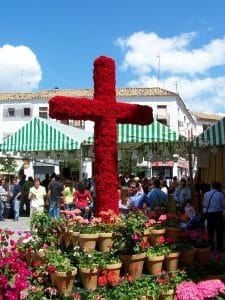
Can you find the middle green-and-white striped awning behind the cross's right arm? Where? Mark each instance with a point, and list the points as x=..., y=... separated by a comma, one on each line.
x=153, y=133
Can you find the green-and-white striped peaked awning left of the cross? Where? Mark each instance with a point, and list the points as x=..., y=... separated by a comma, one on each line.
x=44, y=135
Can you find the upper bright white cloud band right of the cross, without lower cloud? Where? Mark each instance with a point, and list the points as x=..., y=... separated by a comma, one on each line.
x=141, y=51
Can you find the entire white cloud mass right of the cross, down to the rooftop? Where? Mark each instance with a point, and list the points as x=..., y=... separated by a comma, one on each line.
x=180, y=65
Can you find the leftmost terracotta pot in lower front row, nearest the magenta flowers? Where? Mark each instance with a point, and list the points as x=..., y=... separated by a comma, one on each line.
x=64, y=281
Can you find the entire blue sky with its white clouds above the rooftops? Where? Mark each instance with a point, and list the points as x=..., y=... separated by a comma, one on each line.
x=177, y=45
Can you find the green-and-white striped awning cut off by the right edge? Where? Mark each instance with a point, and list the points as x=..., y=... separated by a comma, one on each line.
x=212, y=136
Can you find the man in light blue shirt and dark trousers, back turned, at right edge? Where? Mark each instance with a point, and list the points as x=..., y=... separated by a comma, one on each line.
x=213, y=206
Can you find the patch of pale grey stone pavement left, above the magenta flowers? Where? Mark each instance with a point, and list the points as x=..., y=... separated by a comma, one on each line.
x=22, y=224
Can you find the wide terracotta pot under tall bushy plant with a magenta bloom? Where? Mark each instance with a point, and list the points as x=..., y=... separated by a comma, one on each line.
x=133, y=264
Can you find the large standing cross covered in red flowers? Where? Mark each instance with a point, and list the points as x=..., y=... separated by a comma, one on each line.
x=106, y=113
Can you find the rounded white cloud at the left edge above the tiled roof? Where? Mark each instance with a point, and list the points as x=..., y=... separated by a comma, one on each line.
x=19, y=69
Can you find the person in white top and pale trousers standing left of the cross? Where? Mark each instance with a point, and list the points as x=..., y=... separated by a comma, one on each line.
x=37, y=194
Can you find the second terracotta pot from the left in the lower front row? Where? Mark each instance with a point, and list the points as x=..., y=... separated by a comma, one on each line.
x=89, y=277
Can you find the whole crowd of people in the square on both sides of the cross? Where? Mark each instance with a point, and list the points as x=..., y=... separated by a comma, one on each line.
x=56, y=196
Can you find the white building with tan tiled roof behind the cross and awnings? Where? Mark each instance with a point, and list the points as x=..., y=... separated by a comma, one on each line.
x=16, y=109
